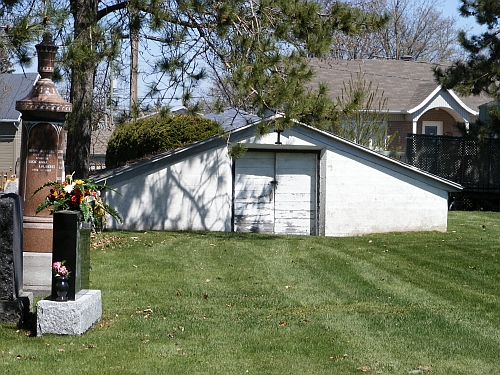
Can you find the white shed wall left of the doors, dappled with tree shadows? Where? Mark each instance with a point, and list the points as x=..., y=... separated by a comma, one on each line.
x=191, y=194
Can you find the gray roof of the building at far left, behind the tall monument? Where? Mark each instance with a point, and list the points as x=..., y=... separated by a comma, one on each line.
x=14, y=87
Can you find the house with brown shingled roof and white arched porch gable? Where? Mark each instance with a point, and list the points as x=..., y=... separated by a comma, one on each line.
x=416, y=103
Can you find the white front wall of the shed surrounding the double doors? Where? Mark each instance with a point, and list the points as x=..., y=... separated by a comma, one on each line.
x=359, y=192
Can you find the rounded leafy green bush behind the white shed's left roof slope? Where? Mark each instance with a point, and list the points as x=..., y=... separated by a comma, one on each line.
x=150, y=136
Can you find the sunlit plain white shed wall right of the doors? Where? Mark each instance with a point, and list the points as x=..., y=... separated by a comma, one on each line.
x=363, y=197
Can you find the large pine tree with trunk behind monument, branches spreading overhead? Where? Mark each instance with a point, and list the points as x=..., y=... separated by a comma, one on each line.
x=255, y=49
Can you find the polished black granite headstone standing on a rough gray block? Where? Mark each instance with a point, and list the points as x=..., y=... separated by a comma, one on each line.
x=71, y=243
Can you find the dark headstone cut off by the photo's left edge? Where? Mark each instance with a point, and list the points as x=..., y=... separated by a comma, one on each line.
x=15, y=305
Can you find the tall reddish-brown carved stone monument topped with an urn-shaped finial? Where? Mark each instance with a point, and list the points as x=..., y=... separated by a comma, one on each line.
x=43, y=113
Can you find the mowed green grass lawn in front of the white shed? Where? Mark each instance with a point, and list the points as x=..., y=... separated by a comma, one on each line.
x=225, y=303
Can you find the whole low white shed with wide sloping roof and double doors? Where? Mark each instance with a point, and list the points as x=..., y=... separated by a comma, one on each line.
x=310, y=182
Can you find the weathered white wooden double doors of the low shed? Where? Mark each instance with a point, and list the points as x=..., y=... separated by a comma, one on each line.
x=275, y=193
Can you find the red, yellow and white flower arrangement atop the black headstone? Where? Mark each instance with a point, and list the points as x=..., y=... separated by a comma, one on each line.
x=82, y=195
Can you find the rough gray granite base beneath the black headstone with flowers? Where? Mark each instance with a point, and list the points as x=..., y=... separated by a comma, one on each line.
x=71, y=317
